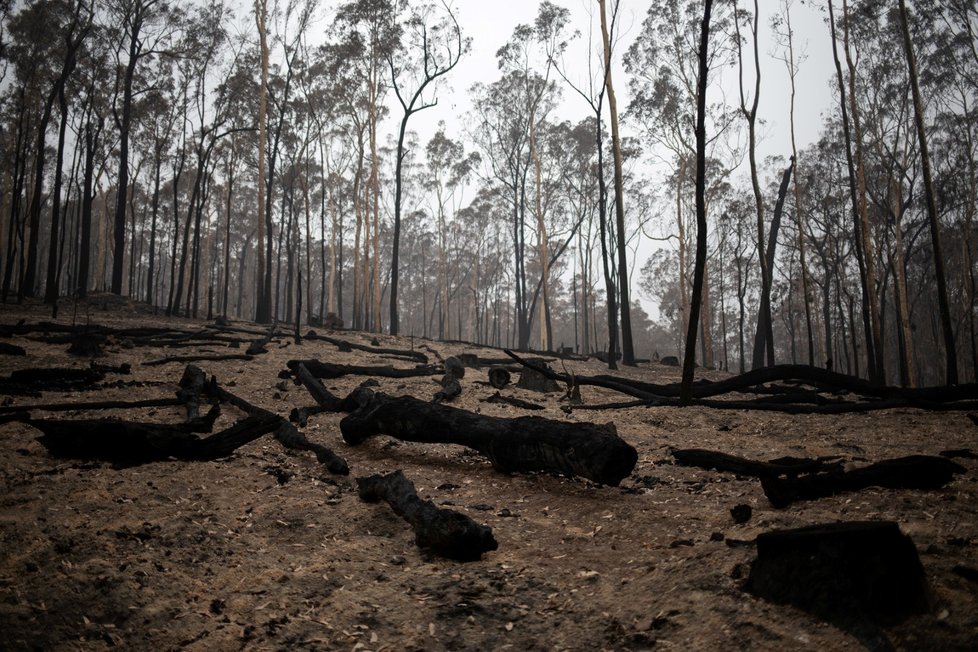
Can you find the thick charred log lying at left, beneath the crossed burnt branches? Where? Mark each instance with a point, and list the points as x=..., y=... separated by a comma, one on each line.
x=131, y=443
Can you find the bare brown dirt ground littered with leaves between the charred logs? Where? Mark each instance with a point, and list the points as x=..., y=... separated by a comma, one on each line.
x=265, y=550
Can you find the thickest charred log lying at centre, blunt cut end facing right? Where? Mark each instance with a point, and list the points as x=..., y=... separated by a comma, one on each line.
x=588, y=450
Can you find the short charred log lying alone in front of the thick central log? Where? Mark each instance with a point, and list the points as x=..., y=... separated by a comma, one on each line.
x=442, y=531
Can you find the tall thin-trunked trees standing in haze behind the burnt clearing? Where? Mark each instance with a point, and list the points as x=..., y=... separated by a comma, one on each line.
x=263, y=165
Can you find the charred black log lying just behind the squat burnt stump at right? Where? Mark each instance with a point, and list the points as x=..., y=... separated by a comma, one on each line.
x=911, y=472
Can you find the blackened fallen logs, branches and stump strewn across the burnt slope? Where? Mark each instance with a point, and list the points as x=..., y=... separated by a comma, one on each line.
x=520, y=444
